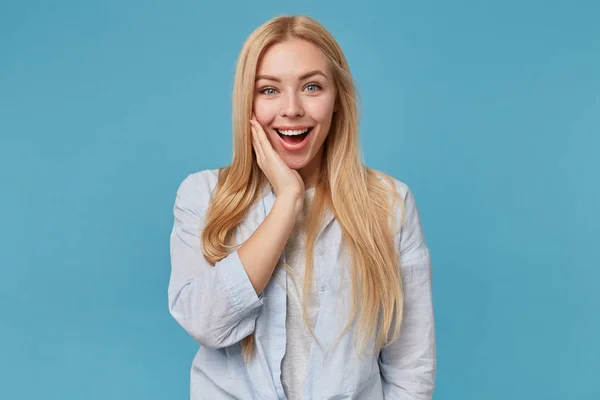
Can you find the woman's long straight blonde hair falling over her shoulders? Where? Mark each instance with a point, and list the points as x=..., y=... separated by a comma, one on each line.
x=345, y=185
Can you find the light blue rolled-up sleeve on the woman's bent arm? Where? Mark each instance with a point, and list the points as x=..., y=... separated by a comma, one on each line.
x=217, y=305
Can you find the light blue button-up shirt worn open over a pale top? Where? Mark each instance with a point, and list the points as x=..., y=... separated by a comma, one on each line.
x=218, y=306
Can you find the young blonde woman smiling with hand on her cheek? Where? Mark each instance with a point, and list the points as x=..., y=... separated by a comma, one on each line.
x=300, y=272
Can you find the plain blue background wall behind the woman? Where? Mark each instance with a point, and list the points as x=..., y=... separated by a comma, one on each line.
x=488, y=110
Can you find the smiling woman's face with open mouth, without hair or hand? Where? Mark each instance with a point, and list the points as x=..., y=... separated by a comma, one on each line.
x=294, y=91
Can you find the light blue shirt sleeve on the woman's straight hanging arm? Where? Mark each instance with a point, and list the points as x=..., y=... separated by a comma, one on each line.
x=408, y=366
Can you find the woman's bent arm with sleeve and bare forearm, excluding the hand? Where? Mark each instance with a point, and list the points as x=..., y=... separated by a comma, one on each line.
x=218, y=305
